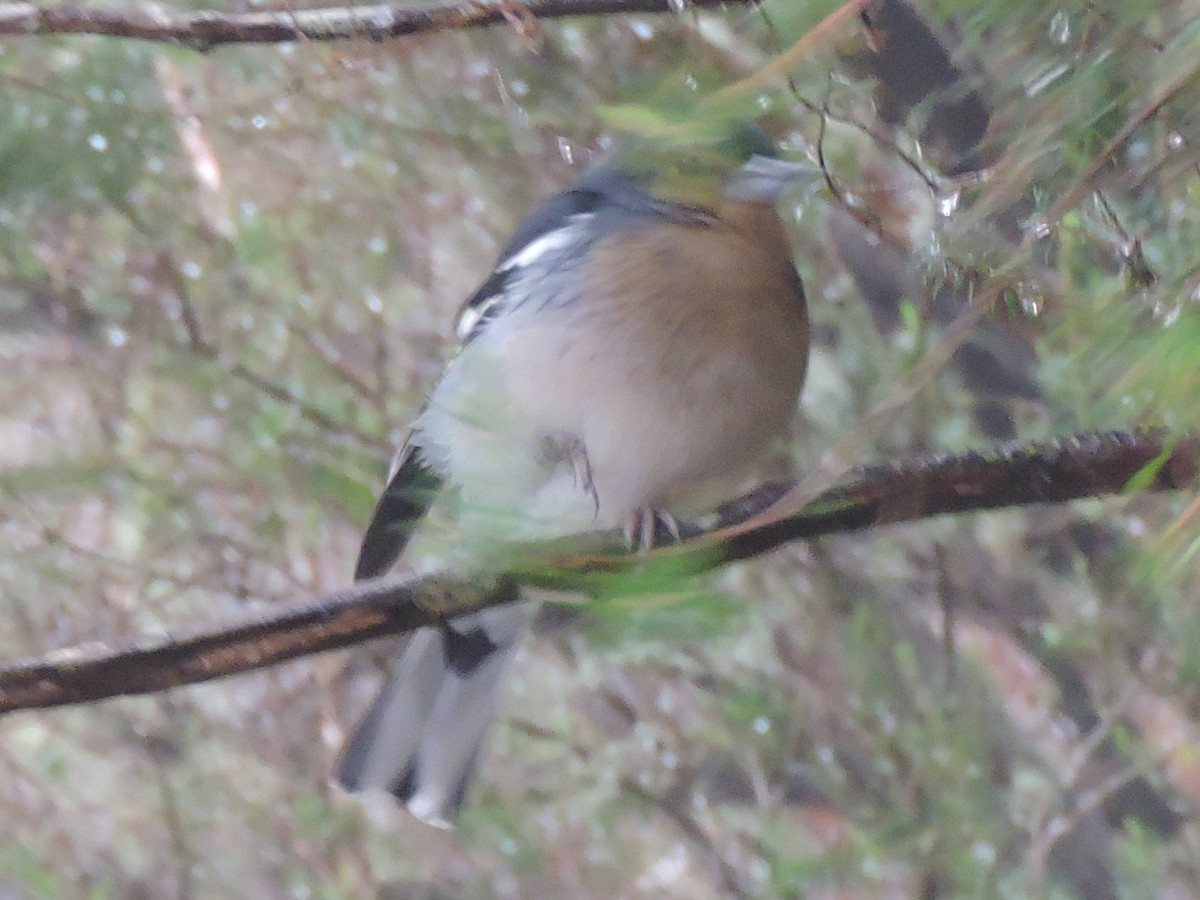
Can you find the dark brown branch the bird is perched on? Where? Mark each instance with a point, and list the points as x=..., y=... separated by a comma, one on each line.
x=1090, y=465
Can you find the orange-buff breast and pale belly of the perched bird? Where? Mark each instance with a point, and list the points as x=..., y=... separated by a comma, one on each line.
x=671, y=369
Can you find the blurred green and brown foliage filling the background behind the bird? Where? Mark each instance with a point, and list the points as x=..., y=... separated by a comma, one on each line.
x=227, y=280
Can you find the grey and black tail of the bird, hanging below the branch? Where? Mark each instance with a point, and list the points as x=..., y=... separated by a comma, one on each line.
x=421, y=740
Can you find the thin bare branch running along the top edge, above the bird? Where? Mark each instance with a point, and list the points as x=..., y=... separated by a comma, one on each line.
x=206, y=31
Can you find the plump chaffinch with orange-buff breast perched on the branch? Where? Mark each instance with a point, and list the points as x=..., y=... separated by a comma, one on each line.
x=643, y=339
